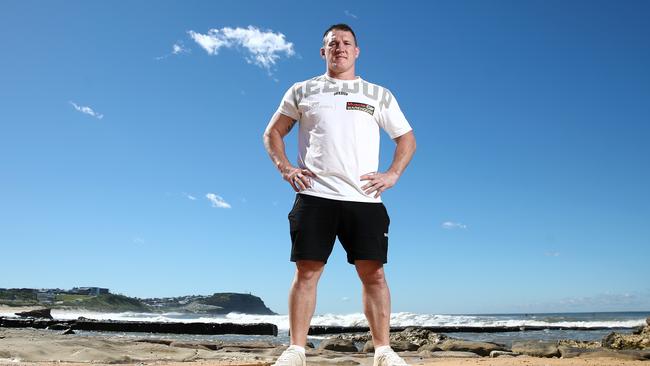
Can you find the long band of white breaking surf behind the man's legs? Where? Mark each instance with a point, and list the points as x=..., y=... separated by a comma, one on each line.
x=358, y=319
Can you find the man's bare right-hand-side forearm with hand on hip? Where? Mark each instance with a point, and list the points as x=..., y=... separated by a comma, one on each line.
x=379, y=182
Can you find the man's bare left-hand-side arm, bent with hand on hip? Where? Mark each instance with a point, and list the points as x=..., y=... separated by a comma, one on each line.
x=279, y=126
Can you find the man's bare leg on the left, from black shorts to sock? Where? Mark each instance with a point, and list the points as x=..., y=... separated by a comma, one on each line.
x=302, y=299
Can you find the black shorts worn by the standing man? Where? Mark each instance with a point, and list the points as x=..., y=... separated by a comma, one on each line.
x=315, y=222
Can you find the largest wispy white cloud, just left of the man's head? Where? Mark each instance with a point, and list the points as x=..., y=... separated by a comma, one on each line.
x=263, y=48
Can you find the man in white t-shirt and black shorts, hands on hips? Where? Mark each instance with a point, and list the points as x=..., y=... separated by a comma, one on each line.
x=338, y=185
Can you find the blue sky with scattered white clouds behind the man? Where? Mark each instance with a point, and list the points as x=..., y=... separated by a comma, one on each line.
x=131, y=152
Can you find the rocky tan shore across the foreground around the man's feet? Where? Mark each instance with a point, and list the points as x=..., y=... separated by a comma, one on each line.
x=418, y=345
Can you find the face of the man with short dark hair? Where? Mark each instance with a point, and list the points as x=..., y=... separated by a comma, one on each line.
x=339, y=51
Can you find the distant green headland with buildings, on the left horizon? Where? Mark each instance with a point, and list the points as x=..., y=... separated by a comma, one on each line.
x=215, y=304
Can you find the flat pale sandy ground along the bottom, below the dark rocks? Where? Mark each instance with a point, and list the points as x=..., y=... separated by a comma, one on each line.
x=41, y=347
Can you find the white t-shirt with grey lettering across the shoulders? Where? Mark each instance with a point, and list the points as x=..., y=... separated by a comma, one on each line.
x=338, y=138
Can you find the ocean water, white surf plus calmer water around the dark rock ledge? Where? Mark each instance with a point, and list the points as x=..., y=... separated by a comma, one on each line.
x=622, y=322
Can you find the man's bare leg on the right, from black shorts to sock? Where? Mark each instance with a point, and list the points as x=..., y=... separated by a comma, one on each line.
x=376, y=299
